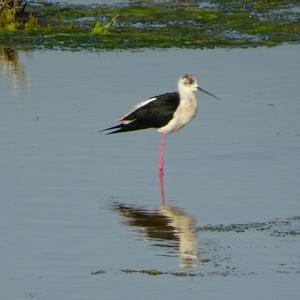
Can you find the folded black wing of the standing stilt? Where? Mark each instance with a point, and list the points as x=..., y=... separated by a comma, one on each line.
x=154, y=113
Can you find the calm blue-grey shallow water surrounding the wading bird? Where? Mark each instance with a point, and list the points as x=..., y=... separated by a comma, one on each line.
x=75, y=202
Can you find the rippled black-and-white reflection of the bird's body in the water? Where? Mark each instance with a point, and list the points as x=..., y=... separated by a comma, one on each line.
x=168, y=227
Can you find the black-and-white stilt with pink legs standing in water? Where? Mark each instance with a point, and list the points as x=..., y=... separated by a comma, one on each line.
x=166, y=113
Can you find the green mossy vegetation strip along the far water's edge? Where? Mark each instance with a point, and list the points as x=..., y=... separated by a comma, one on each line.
x=185, y=24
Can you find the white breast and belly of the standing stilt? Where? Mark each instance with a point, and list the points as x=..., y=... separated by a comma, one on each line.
x=185, y=113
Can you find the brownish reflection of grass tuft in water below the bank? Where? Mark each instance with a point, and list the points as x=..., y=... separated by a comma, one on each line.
x=11, y=65
